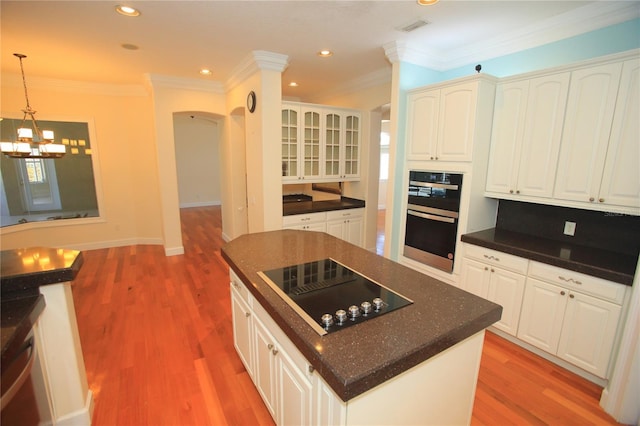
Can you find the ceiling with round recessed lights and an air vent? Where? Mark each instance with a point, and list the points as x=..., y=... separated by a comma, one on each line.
x=82, y=40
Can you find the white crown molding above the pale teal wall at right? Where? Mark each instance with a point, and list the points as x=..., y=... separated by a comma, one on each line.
x=594, y=16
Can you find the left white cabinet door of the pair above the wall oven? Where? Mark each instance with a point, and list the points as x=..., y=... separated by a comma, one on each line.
x=422, y=124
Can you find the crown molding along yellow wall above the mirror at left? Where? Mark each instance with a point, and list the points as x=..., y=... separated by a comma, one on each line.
x=74, y=86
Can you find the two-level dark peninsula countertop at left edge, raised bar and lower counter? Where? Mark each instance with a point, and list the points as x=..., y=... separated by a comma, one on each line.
x=22, y=272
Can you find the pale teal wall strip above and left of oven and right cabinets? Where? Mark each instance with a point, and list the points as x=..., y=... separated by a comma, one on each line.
x=605, y=41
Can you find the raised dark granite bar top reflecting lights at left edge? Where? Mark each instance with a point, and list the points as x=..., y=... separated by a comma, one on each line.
x=22, y=271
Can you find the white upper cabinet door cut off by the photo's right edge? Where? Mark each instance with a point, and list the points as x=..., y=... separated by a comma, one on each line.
x=621, y=177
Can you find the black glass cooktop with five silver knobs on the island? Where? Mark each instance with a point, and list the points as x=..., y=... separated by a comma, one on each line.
x=329, y=296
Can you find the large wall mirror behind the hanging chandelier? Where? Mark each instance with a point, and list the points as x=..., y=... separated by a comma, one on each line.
x=39, y=189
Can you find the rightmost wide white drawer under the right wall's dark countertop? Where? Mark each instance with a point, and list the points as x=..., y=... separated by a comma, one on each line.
x=577, y=281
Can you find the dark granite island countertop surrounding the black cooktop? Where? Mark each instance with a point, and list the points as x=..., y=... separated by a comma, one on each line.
x=361, y=357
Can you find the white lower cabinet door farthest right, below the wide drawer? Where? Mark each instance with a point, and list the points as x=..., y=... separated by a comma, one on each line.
x=588, y=333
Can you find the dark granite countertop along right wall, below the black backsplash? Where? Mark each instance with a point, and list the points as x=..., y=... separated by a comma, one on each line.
x=616, y=267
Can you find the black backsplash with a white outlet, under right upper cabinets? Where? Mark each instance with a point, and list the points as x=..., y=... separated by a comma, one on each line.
x=608, y=231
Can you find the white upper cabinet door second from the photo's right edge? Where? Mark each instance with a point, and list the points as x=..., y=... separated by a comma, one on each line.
x=592, y=99
